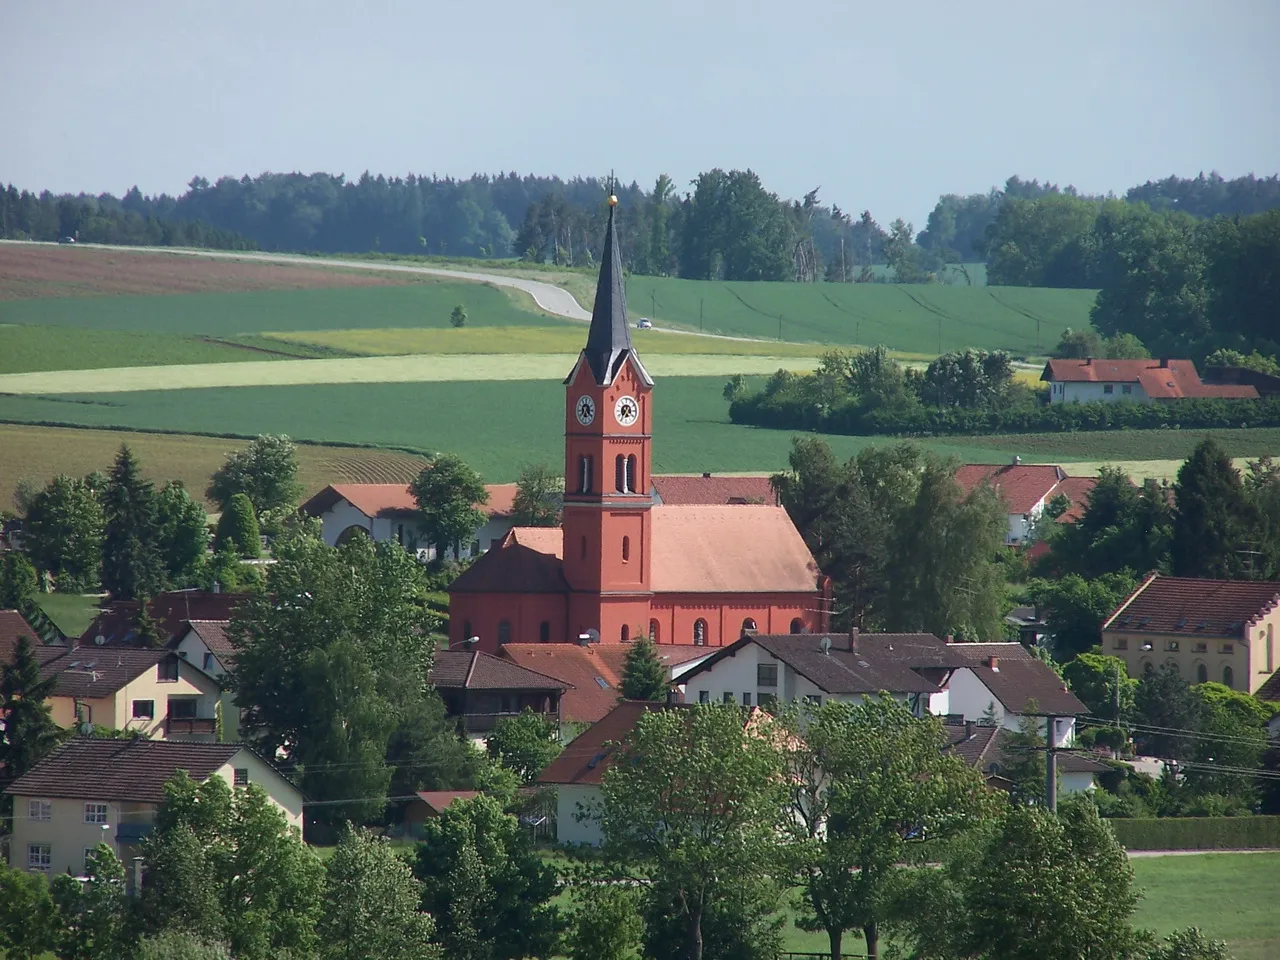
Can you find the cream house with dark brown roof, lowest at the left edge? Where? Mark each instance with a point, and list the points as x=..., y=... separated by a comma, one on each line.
x=107, y=792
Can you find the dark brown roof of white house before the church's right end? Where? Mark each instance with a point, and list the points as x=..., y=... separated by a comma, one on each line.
x=877, y=662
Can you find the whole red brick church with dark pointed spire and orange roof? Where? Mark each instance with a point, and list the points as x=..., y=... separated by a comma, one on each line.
x=624, y=561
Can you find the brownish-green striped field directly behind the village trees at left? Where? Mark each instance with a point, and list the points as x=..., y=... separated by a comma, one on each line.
x=38, y=454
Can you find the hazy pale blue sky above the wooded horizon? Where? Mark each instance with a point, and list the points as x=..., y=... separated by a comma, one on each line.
x=884, y=106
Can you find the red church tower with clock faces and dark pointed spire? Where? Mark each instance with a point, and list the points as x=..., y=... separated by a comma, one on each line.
x=609, y=419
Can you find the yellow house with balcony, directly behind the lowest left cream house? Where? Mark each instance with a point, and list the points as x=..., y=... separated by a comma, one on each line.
x=150, y=691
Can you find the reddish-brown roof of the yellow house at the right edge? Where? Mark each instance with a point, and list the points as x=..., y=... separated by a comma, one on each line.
x=1195, y=607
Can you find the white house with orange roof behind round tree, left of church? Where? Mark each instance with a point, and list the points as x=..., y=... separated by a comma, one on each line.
x=390, y=513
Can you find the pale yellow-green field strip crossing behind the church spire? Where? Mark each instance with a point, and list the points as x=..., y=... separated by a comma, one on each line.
x=405, y=369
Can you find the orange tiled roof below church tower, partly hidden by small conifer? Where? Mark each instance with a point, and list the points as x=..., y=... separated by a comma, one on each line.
x=593, y=674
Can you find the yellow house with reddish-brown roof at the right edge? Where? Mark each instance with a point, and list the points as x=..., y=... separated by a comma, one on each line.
x=1209, y=630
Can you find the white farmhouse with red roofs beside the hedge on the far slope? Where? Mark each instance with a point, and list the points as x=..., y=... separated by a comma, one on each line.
x=1136, y=381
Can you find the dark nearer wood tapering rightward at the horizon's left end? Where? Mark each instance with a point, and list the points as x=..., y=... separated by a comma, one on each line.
x=104, y=220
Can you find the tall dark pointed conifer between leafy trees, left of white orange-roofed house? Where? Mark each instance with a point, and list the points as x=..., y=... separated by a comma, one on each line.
x=131, y=550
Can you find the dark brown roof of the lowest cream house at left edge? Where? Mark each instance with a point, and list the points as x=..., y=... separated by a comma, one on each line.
x=121, y=770
